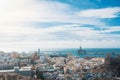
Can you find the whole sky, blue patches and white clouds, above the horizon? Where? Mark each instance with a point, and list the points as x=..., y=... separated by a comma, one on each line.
x=32, y=24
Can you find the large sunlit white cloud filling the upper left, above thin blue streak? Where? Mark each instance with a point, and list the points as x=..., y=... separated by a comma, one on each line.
x=12, y=11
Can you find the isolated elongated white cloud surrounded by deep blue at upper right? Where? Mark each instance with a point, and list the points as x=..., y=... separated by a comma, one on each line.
x=110, y=12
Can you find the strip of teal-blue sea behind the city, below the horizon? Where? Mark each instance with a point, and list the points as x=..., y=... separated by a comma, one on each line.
x=90, y=52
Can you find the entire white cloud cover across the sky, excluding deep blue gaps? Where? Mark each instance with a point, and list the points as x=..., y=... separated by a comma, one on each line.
x=18, y=33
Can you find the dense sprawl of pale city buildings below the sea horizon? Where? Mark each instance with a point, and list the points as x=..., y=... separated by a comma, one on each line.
x=39, y=65
